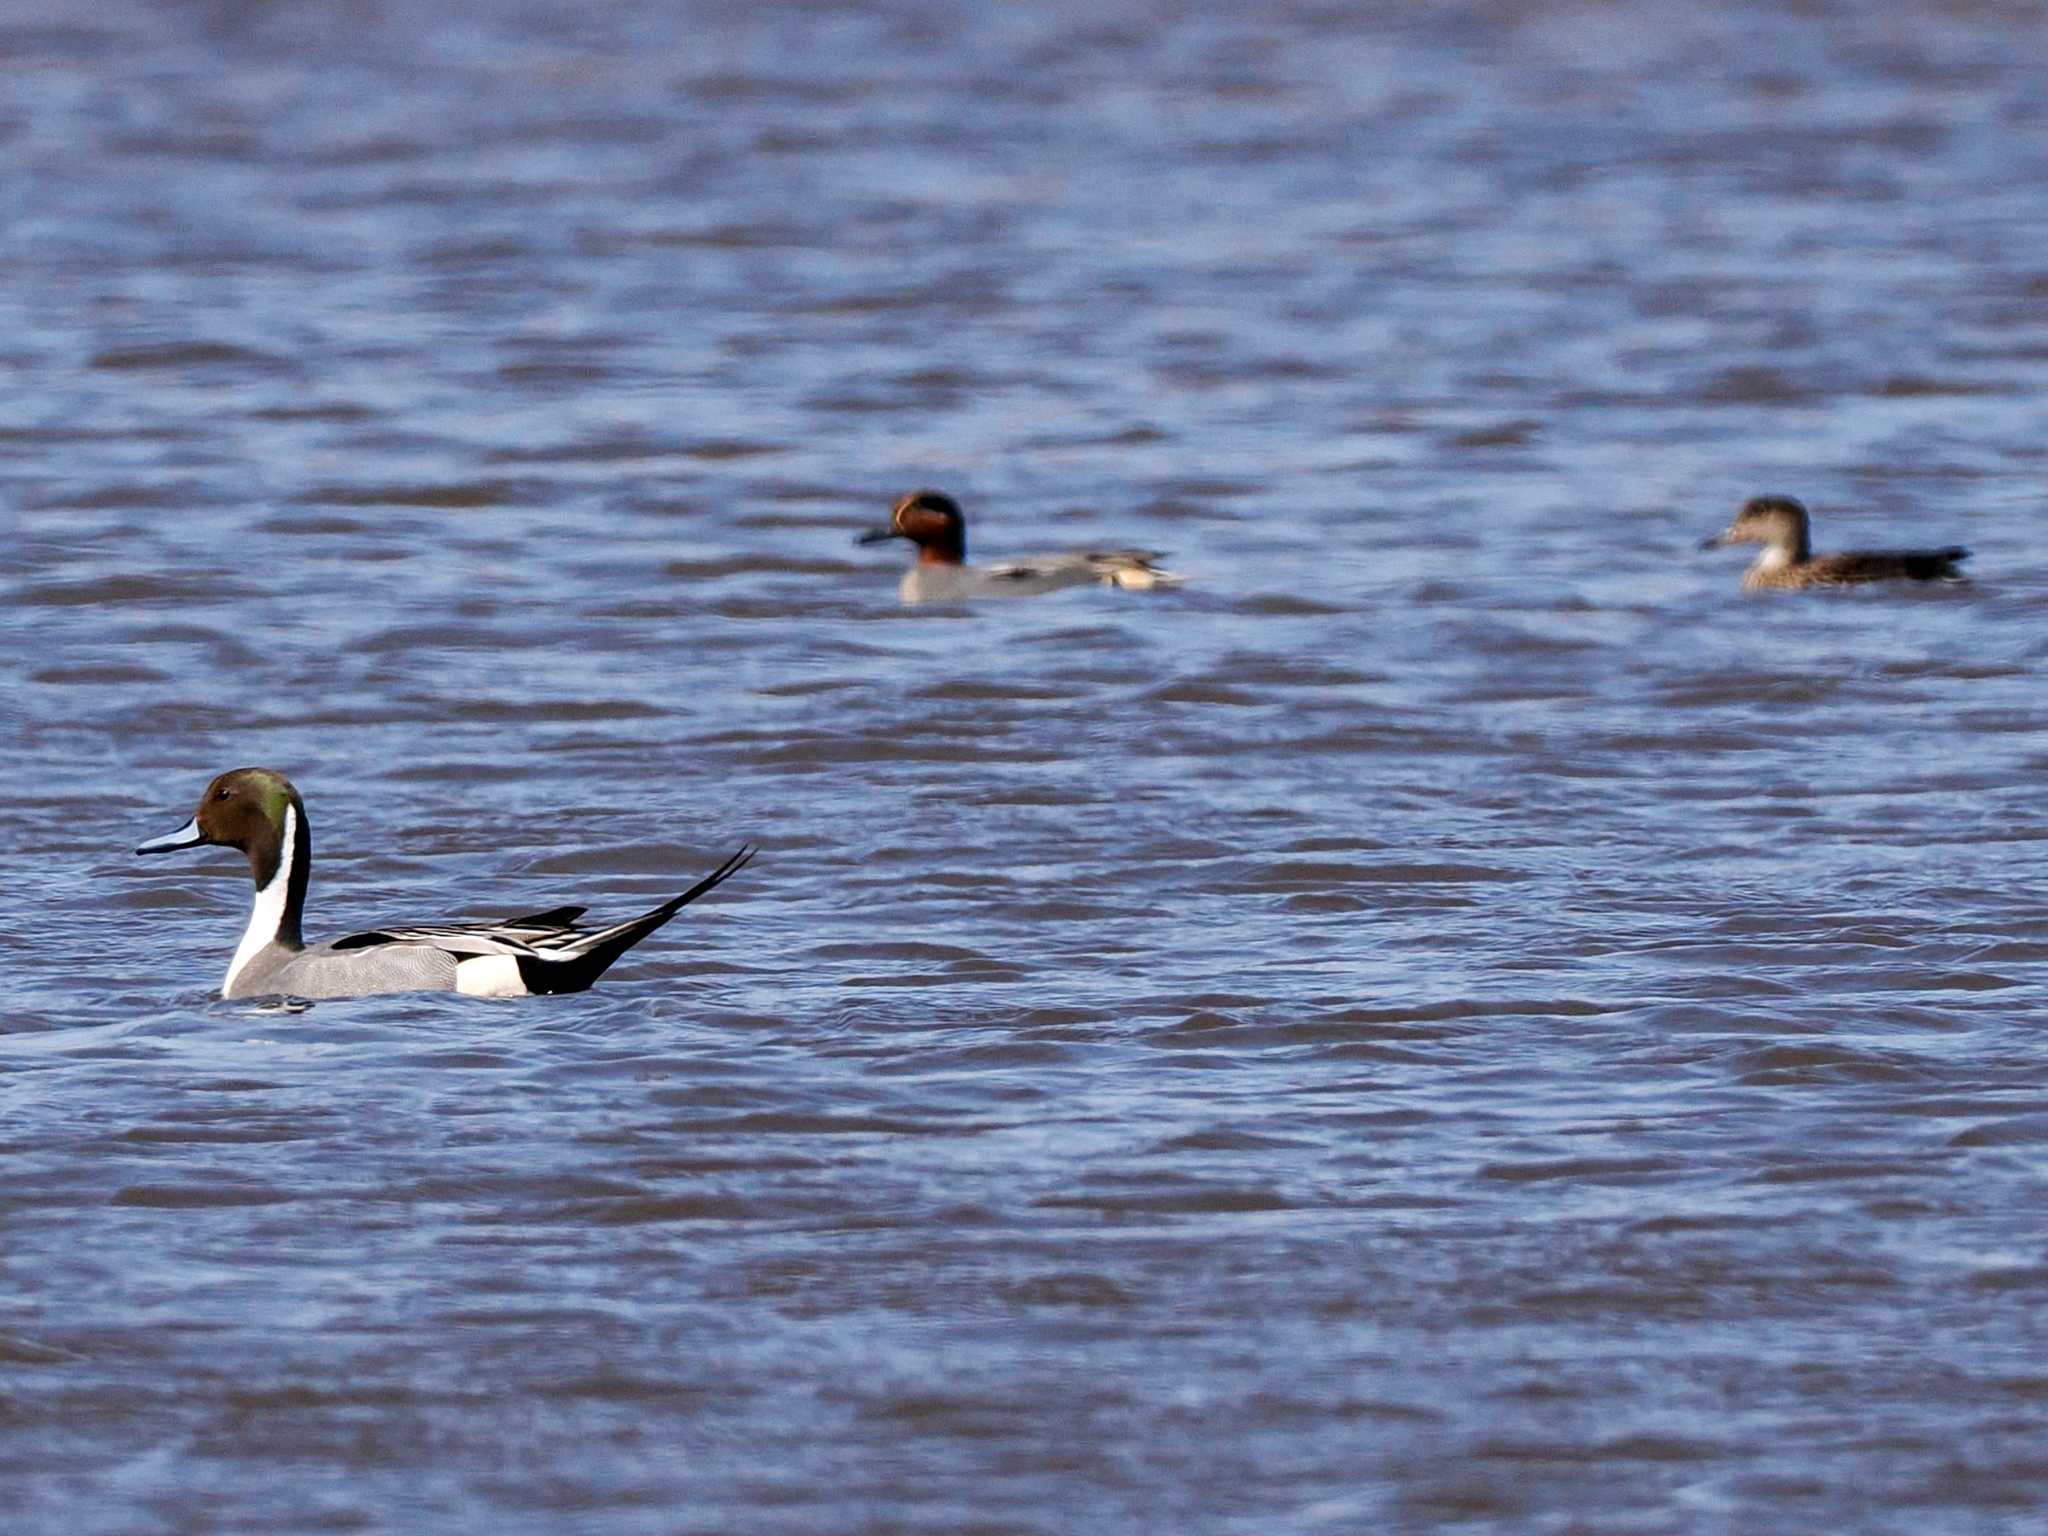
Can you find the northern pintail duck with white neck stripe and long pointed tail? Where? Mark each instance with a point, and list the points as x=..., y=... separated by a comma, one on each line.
x=259, y=814
